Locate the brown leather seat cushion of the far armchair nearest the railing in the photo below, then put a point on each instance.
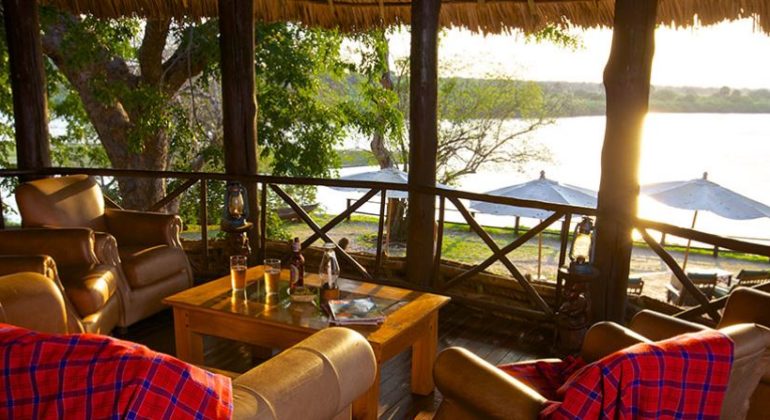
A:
(145, 266)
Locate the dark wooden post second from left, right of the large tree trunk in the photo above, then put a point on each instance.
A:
(239, 103)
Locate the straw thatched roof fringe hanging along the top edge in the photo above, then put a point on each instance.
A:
(487, 16)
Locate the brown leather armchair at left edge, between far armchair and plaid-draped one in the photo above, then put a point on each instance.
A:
(87, 289)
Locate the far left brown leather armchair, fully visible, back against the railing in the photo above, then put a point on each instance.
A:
(144, 247)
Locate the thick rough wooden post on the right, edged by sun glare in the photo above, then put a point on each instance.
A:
(627, 84)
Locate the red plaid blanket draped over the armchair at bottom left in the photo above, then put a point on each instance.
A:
(93, 376)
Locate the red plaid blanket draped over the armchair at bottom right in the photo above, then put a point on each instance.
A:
(684, 377)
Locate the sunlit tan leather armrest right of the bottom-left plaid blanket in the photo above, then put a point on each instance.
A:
(316, 379)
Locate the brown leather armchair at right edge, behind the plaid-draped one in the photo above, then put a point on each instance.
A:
(744, 305)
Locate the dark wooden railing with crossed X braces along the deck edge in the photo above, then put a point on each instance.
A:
(539, 308)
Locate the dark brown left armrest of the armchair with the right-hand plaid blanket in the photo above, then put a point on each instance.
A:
(475, 386)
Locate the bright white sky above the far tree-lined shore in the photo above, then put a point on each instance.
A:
(729, 54)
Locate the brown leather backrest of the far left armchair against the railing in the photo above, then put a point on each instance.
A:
(68, 201)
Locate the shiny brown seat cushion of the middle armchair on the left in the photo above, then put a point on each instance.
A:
(89, 287)
